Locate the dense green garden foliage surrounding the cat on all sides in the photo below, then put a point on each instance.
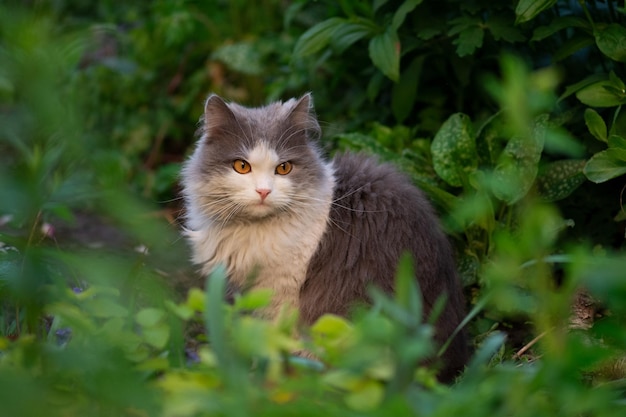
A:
(508, 114)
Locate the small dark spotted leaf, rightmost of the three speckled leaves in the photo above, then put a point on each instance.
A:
(559, 179)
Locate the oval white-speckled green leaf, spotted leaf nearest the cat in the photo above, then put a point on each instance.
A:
(454, 150)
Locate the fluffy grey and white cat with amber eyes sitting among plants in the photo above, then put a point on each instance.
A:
(262, 200)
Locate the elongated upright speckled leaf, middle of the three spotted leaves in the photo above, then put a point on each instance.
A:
(516, 171)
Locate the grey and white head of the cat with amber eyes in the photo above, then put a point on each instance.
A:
(253, 163)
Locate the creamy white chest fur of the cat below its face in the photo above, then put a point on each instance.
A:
(272, 254)
